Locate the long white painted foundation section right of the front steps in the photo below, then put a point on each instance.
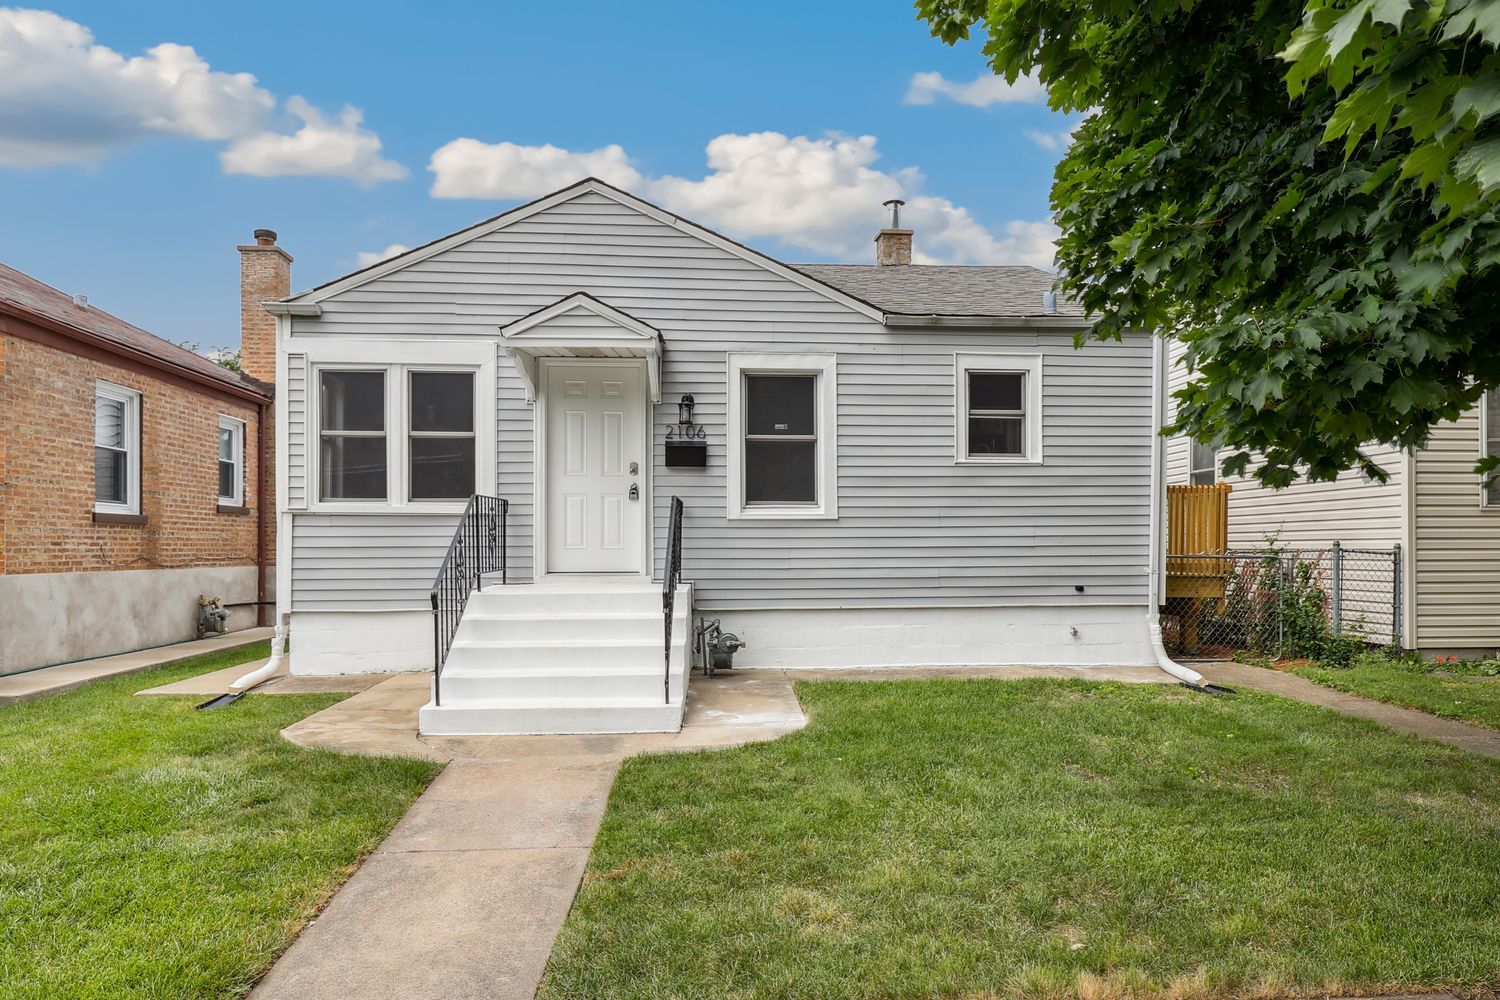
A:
(1109, 636)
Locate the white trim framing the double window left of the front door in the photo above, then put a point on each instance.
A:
(350, 355)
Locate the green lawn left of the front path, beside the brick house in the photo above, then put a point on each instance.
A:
(152, 851)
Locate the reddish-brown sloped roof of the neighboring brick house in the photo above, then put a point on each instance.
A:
(26, 298)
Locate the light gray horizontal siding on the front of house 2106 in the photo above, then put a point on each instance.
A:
(914, 528)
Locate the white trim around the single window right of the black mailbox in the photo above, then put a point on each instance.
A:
(826, 389)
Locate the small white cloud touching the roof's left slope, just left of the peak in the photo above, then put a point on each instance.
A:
(469, 169)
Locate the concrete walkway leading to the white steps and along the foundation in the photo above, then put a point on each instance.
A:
(467, 894)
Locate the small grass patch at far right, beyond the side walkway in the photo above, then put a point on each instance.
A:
(1463, 692)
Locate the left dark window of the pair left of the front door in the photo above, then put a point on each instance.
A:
(353, 436)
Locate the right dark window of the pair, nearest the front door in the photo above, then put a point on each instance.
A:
(442, 436)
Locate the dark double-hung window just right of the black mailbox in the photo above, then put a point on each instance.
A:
(781, 439)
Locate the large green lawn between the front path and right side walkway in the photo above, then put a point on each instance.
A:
(1043, 839)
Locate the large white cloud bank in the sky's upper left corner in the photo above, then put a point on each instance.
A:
(67, 100)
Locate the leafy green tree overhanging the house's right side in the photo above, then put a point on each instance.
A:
(1304, 193)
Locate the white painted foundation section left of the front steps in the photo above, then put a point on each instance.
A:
(361, 642)
